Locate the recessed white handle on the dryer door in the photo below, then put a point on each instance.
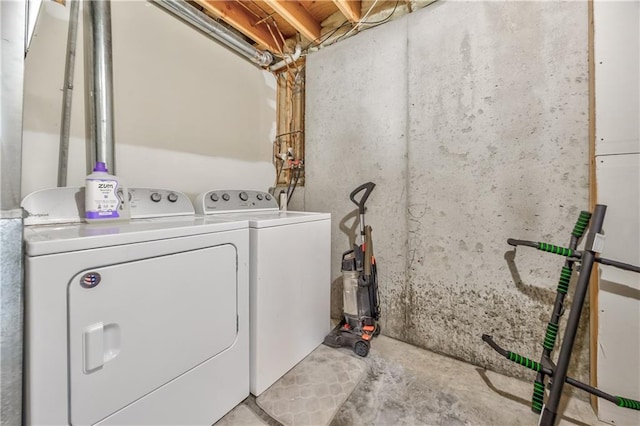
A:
(101, 344)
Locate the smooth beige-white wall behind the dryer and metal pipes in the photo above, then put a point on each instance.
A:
(188, 114)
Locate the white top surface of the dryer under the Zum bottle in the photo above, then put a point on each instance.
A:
(50, 239)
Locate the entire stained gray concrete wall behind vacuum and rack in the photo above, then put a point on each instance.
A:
(472, 118)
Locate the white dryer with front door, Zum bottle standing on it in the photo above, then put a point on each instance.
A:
(143, 322)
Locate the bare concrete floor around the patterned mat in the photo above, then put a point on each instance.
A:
(406, 385)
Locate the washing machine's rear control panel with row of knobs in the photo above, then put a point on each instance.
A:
(234, 200)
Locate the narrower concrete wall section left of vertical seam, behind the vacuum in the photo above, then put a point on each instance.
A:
(356, 123)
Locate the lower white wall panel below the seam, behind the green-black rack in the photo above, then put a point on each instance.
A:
(618, 371)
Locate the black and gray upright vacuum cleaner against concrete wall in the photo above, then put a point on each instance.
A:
(359, 323)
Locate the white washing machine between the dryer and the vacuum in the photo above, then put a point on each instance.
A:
(290, 279)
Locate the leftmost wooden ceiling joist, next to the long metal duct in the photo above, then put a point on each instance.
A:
(236, 16)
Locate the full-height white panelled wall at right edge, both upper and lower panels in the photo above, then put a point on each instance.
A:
(617, 97)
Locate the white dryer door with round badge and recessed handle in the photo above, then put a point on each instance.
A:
(134, 327)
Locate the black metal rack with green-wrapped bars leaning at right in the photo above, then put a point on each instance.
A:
(557, 373)
